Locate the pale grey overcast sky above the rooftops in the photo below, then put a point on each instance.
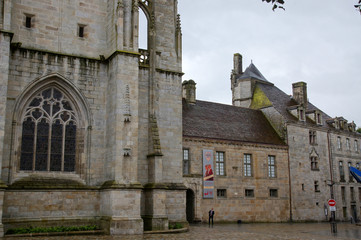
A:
(315, 41)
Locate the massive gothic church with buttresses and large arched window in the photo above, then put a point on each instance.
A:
(90, 125)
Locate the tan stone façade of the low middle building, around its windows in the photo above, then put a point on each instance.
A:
(236, 206)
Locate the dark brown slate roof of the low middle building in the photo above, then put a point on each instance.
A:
(225, 122)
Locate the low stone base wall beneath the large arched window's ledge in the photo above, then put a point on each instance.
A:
(31, 208)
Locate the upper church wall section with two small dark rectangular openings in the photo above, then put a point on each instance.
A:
(55, 26)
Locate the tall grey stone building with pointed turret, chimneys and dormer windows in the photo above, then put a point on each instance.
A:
(321, 148)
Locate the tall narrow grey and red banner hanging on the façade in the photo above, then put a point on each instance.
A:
(208, 177)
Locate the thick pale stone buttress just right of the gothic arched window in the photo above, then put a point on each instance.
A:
(121, 194)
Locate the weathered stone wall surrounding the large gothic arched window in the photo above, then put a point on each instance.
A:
(87, 76)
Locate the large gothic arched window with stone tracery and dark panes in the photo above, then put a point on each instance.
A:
(49, 128)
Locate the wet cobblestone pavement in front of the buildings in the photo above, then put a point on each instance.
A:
(306, 231)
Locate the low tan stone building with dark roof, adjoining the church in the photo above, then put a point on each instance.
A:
(250, 162)
